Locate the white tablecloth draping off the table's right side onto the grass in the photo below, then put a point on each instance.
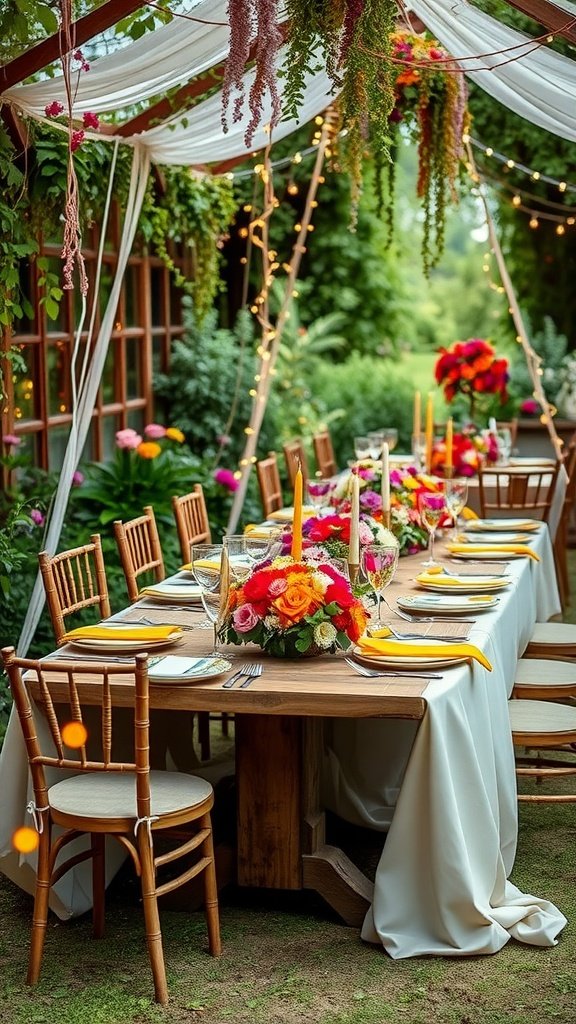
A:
(445, 791)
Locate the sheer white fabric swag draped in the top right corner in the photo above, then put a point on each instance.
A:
(541, 86)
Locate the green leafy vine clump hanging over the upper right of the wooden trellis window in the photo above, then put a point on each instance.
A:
(195, 210)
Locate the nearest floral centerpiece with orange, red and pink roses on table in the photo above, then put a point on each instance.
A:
(292, 609)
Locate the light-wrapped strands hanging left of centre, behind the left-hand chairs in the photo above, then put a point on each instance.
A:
(272, 334)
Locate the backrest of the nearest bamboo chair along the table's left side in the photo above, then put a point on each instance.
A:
(74, 580)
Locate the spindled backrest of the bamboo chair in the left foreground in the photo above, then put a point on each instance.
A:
(50, 746)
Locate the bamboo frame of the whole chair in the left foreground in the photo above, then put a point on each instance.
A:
(121, 827)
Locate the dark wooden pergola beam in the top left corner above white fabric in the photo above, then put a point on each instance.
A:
(52, 49)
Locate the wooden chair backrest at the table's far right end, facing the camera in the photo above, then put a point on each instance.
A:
(527, 491)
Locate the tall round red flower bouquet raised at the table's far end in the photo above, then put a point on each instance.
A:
(473, 370)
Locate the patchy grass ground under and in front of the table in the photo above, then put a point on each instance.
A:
(289, 961)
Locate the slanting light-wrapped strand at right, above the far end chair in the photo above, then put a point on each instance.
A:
(534, 362)
